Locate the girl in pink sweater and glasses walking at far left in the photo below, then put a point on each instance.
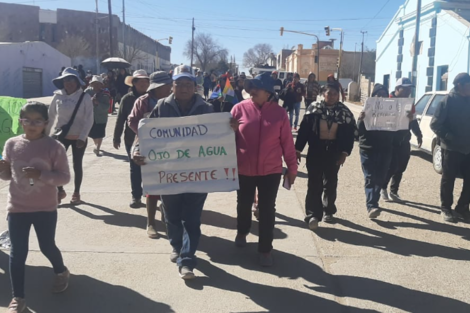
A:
(35, 164)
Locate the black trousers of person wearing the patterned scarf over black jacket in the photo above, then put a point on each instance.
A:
(322, 183)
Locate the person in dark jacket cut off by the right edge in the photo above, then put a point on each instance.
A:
(451, 125)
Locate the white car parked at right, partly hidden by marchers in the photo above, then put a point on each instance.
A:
(425, 109)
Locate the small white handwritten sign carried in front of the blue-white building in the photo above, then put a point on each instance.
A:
(387, 114)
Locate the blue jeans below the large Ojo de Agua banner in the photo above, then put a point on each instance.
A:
(183, 221)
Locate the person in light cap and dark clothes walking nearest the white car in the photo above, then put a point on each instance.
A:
(401, 145)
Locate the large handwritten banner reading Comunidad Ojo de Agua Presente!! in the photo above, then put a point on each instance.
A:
(194, 154)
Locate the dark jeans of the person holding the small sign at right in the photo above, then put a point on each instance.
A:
(375, 165)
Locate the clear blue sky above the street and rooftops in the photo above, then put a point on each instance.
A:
(239, 25)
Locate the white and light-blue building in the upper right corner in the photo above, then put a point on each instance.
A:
(444, 45)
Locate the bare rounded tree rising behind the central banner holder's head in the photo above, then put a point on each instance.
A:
(207, 51)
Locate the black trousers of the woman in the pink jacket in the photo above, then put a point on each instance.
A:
(268, 187)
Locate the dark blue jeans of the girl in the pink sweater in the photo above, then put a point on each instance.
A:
(19, 225)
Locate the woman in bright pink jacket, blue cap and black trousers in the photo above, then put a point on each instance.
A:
(263, 137)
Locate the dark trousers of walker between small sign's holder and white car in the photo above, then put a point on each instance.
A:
(400, 157)
